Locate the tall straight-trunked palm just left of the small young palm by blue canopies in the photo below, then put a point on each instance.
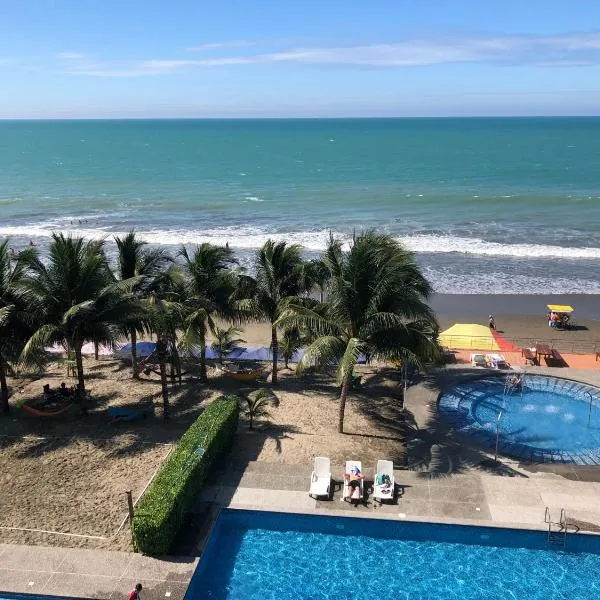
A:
(211, 278)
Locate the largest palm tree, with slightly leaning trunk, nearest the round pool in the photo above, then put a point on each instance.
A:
(376, 308)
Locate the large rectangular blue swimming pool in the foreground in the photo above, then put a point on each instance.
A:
(280, 556)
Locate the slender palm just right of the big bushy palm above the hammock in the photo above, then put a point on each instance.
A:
(135, 260)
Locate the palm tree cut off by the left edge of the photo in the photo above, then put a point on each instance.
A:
(15, 320)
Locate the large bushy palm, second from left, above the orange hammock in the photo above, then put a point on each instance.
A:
(76, 299)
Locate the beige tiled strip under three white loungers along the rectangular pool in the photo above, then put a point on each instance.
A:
(473, 497)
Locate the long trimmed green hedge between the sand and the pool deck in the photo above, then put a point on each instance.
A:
(167, 502)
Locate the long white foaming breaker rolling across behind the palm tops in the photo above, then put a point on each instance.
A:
(314, 240)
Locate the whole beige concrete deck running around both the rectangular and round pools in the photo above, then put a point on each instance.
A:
(446, 480)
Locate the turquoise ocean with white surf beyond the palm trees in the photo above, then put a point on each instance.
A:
(489, 205)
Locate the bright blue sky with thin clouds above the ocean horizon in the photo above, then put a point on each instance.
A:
(261, 58)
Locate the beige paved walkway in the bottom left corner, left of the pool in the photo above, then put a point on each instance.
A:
(91, 573)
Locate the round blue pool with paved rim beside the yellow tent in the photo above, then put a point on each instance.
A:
(549, 420)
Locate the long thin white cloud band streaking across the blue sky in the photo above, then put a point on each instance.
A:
(568, 50)
